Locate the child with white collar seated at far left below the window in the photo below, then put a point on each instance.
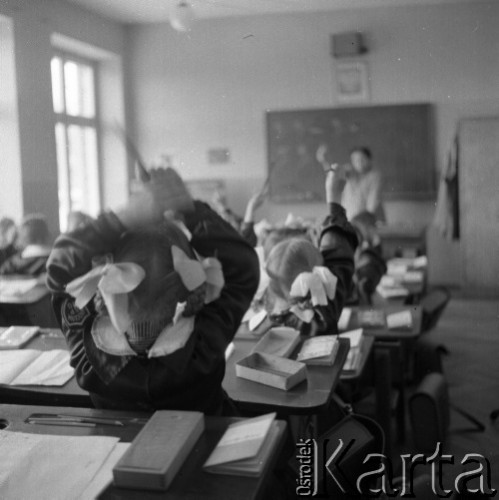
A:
(34, 244)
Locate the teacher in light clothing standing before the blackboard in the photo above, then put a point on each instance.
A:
(363, 190)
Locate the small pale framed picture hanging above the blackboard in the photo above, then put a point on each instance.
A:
(352, 81)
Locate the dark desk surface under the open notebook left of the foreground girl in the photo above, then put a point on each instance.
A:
(70, 394)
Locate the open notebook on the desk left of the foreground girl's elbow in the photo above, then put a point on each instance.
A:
(33, 367)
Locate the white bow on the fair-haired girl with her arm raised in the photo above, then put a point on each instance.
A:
(320, 283)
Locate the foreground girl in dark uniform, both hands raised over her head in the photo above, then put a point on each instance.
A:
(155, 335)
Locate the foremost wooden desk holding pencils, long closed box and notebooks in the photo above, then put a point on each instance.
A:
(190, 483)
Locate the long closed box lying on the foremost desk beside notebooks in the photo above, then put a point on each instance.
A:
(159, 450)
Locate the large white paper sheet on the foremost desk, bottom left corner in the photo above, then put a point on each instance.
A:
(41, 467)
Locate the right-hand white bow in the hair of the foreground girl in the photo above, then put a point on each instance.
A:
(194, 273)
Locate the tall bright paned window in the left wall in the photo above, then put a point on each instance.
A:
(76, 134)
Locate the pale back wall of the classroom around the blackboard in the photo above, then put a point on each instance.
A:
(211, 87)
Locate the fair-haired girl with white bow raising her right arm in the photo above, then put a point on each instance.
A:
(308, 282)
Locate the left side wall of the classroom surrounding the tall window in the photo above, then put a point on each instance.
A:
(33, 24)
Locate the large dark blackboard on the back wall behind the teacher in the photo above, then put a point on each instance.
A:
(400, 138)
